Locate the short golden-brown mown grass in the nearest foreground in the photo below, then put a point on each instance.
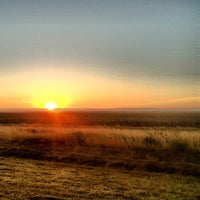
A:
(44, 180)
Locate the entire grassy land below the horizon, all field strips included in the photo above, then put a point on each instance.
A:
(100, 155)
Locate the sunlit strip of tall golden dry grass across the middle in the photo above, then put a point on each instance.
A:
(152, 138)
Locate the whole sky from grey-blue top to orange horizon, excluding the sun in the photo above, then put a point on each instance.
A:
(99, 54)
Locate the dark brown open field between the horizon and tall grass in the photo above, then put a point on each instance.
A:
(103, 118)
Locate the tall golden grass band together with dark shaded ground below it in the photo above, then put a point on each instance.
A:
(172, 150)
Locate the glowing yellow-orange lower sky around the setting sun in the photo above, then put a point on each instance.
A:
(68, 88)
